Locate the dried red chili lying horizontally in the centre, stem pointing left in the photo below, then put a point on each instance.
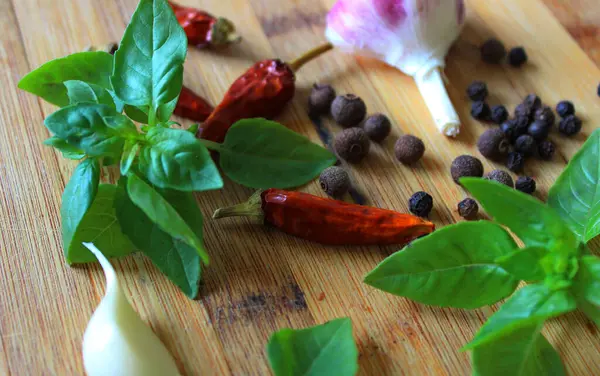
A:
(328, 221)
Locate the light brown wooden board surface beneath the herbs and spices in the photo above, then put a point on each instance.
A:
(261, 280)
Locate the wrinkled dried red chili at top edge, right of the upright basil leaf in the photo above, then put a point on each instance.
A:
(203, 29)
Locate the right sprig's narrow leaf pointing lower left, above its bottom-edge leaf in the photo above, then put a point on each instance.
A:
(530, 305)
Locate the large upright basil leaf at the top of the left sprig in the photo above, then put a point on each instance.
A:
(149, 62)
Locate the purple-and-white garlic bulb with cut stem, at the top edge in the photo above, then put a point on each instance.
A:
(411, 35)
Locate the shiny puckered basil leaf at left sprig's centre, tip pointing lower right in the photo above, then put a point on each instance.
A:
(175, 159)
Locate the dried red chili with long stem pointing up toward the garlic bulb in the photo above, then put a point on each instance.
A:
(262, 91)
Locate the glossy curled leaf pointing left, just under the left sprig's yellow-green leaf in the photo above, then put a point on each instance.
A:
(83, 127)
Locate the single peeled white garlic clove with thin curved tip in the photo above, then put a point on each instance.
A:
(116, 341)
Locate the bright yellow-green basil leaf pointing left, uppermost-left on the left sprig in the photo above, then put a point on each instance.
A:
(47, 80)
